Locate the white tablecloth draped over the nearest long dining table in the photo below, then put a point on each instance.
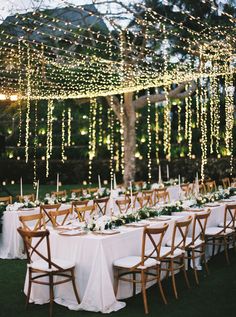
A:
(94, 255)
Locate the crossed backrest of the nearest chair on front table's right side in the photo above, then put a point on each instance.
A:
(155, 236)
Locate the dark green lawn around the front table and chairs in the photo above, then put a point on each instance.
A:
(214, 297)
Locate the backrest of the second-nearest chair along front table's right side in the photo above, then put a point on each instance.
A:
(180, 232)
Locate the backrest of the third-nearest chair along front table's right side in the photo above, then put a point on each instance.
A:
(199, 225)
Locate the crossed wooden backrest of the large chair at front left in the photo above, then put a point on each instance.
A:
(32, 246)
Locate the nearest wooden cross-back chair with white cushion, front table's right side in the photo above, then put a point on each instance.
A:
(136, 269)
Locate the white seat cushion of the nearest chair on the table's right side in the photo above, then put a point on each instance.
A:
(130, 261)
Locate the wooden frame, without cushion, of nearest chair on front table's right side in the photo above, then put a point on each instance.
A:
(122, 274)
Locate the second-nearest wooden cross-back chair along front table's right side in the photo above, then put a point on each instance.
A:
(174, 253)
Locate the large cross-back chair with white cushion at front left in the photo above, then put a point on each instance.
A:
(45, 265)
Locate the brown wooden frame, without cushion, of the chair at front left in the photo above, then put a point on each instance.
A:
(35, 275)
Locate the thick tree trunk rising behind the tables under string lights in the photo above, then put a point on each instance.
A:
(129, 138)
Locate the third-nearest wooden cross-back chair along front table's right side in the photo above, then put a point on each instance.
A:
(195, 246)
